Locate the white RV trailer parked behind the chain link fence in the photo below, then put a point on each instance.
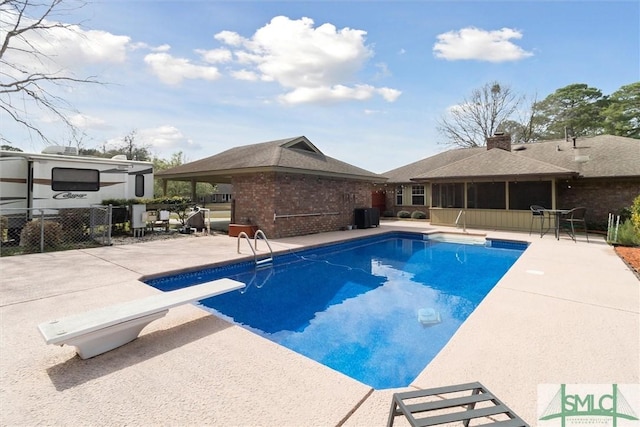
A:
(57, 178)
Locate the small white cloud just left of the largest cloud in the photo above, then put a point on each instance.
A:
(173, 70)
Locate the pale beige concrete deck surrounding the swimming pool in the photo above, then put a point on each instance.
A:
(564, 313)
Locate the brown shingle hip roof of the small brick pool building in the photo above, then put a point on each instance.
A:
(295, 155)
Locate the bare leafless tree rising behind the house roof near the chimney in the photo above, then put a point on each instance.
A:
(469, 123)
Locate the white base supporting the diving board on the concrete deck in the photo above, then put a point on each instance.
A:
(106, 339)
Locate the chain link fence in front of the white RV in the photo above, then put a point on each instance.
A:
(34, 230)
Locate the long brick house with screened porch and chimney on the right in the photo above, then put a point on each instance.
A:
(496, 184)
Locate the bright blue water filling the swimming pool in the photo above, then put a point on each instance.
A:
(355, 306)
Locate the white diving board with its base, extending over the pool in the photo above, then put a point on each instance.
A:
(98, 331)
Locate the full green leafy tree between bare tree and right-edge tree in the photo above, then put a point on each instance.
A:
(571, 111)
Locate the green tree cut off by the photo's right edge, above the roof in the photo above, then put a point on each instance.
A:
(622, 115)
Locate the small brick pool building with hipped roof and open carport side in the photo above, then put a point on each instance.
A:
(285, 187)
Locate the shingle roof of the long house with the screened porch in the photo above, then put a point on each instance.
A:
(600, 156)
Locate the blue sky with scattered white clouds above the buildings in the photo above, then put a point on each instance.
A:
(365, 81)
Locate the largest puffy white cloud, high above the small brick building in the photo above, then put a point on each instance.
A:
(314, 64)
